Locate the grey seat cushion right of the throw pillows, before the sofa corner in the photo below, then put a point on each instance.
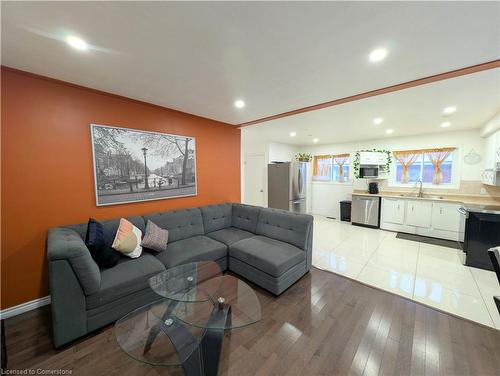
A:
(197, 248)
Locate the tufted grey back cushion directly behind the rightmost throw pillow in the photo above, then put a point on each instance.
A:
(181, 224)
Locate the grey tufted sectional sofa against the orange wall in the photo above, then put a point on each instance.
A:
(271, 248)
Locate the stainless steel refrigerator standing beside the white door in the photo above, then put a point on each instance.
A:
(286, 186)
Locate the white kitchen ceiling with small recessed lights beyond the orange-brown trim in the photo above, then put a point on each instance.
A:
(413, 111)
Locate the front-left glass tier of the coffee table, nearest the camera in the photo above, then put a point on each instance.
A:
(133, 331)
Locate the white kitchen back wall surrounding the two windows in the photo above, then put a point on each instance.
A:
(326, 195)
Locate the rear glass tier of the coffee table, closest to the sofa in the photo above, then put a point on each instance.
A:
(181, 283)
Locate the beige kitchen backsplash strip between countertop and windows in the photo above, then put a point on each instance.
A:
(467, 187)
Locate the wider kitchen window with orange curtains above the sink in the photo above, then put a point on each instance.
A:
(431, 166)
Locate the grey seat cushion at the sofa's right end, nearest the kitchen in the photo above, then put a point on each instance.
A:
(272, 256)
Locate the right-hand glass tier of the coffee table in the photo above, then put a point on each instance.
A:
(223, 290)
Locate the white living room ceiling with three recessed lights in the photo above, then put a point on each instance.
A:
(277, 56)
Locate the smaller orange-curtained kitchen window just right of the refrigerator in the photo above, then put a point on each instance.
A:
(331, 168)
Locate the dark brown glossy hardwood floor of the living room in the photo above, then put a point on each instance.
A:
(323, 325)
